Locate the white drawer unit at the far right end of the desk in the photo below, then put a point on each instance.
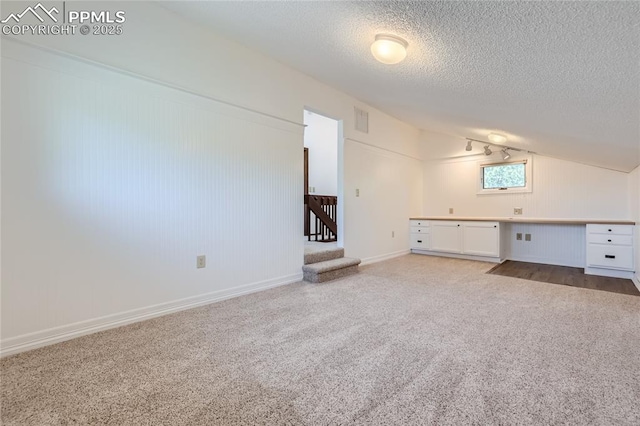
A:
(610, 250)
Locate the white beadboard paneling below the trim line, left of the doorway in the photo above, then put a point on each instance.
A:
(113, 186)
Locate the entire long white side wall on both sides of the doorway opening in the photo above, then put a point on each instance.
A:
(112, 184)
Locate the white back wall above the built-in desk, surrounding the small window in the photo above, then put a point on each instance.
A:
(561, 189)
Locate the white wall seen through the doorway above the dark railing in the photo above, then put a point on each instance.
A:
(321, 137)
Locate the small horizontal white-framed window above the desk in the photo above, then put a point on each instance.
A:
(514, 176)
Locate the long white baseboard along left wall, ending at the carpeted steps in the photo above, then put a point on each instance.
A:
(54, 335)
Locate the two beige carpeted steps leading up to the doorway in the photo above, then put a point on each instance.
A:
(322, 265)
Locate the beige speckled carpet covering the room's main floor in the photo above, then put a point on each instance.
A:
(413, 340)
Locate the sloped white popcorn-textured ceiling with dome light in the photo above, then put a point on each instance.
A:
(559, 78)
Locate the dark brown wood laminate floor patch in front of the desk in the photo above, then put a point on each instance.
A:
(564, 275)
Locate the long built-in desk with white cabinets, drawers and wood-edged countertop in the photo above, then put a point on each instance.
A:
(601, 246)
